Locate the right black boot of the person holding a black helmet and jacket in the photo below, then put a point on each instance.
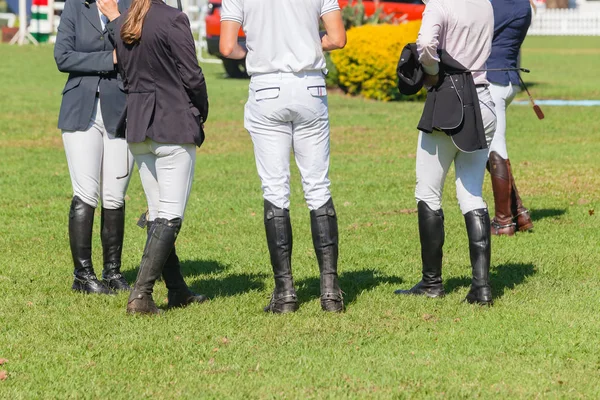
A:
(478, 230)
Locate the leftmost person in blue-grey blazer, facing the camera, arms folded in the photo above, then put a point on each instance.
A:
(93, 101)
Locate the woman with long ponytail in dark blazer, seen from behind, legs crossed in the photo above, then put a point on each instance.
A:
(167, 105)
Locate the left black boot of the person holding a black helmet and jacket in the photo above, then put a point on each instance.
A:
(431, 233)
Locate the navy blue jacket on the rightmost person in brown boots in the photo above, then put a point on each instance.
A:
(511, 21)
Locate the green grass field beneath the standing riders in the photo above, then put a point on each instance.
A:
(540, 340)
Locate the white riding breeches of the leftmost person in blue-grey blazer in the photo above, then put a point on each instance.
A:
(96, 159)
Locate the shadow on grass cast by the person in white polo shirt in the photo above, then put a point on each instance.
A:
(352, 283)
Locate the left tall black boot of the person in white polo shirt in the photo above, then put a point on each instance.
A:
(279, 240)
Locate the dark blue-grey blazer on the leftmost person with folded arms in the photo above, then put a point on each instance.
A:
(84, 51)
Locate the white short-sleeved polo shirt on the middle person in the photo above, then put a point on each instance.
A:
(281, 35)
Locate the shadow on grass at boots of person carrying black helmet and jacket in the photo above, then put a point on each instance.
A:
(502, 277)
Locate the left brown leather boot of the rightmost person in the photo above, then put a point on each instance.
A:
(499, 168)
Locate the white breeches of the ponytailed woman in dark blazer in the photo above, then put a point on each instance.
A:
(167, 172)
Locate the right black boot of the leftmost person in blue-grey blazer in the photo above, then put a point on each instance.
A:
(113, 229)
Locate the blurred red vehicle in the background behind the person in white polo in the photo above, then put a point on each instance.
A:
(401, 9)
